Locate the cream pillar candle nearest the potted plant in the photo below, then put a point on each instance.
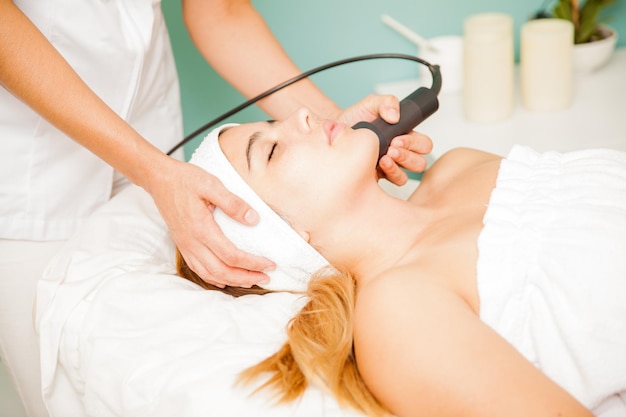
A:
(546, 64)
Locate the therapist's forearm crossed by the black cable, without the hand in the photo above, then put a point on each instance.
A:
(236, 41)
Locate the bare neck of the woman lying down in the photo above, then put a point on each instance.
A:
(373, 234)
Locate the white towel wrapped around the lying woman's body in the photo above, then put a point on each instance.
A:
(552, 267)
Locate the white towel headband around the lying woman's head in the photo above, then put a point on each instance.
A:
(272, 237)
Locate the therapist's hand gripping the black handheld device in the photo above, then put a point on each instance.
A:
(406, 151)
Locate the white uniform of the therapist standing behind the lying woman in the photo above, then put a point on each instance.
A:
(50, 184)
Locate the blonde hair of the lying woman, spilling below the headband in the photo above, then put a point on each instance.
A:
(320, 343)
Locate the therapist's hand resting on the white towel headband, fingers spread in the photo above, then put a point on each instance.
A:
(186, 196)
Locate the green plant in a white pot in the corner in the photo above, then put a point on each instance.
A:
(594, 42)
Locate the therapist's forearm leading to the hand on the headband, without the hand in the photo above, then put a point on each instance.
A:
(33, 70)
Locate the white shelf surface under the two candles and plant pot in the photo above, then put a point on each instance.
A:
(597, 117)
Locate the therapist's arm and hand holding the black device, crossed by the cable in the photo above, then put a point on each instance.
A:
(235, 39)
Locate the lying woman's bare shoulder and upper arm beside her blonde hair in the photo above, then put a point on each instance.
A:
(418, 346)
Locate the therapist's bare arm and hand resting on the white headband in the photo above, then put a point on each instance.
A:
(33, 70)
